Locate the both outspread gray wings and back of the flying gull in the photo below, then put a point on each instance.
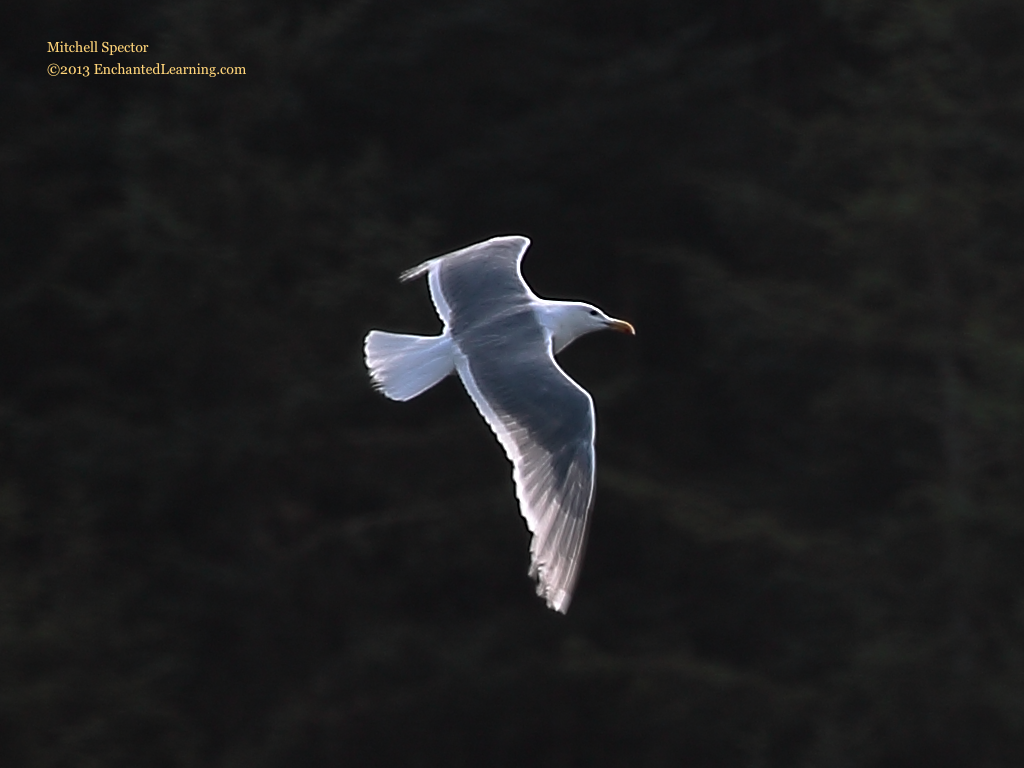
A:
(543, 419)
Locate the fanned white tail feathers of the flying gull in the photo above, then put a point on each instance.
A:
(403, 366)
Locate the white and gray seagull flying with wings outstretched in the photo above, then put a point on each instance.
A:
(502, 339)
